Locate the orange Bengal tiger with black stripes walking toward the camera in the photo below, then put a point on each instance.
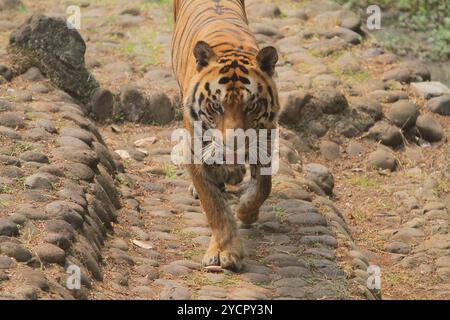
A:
(226, 82)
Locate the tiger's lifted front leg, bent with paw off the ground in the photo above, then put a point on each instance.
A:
(254, 197)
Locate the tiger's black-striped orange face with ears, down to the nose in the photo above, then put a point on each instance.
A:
(233, 91)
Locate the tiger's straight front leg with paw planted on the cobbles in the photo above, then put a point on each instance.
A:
(225, 248)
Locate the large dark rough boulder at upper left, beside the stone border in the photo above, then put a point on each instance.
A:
(58, 51)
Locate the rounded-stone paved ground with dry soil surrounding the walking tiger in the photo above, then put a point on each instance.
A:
(364, 177)
